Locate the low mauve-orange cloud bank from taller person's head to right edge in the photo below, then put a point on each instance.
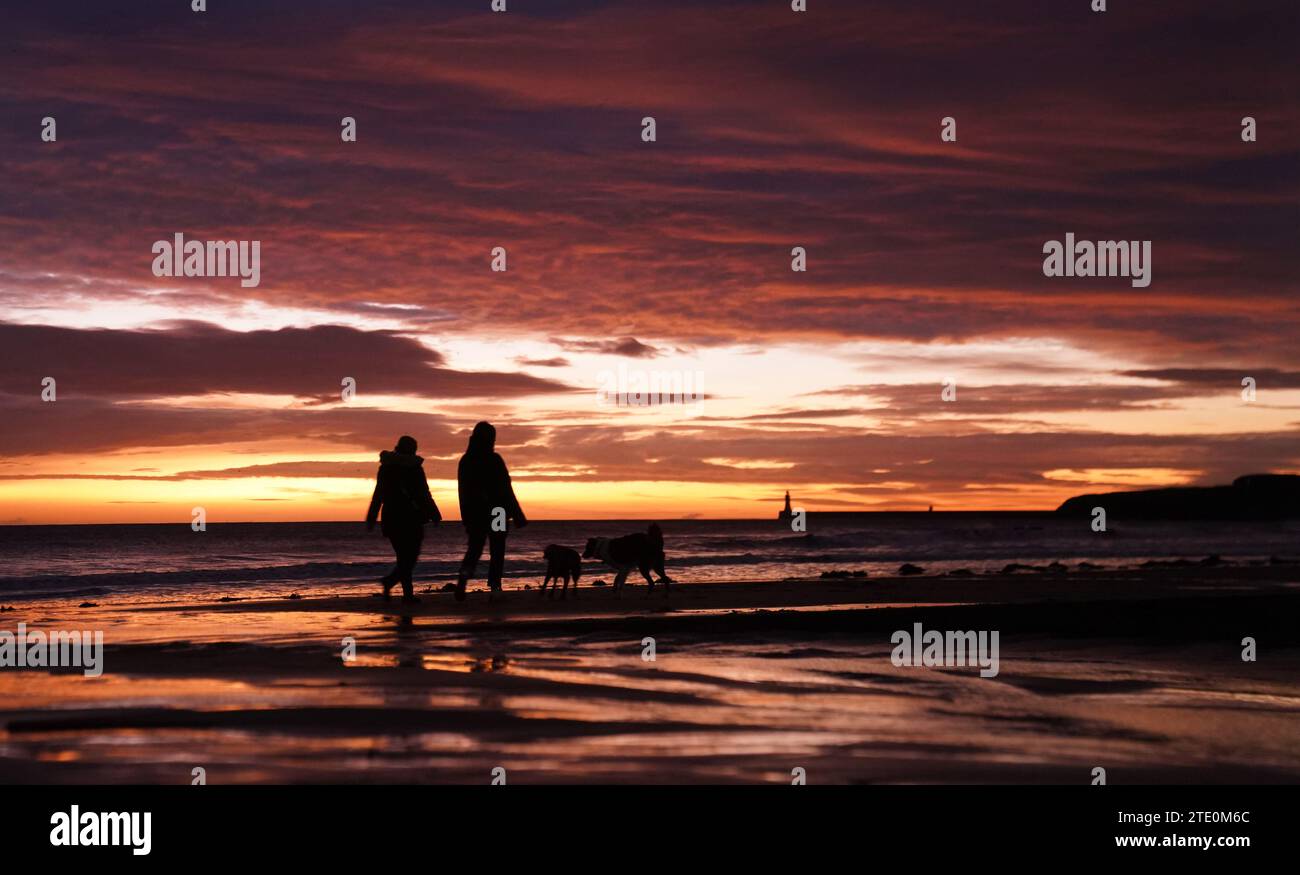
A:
(948, 461)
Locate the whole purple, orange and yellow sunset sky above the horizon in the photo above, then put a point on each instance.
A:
(523, 131)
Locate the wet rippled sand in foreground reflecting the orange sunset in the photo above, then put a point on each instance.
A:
(1138, 672)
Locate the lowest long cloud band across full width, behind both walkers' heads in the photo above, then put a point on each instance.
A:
(948, 461)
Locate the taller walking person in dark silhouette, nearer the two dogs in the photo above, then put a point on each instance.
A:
(487, 504)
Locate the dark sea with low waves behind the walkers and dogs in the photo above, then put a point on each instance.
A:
(252, 560)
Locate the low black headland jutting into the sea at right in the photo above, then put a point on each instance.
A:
(1253, 497)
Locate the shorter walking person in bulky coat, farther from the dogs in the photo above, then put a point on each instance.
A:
(402, 492)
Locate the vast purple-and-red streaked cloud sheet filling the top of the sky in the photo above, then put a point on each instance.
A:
(827, 141)
